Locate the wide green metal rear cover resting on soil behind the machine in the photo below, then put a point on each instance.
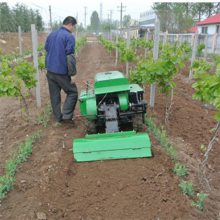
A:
(112, 146)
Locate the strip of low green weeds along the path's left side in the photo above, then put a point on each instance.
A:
(25, 150)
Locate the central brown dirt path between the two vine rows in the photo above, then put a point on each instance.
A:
(53, 184)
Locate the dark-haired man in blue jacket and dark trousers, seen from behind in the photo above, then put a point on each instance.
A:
(59, 45)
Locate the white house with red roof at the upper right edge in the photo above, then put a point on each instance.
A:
(210, 25)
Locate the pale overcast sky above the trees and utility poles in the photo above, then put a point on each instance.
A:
(62, 8)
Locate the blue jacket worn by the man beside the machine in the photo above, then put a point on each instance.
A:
(58, 45)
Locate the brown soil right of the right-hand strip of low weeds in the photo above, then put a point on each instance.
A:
(190, 126)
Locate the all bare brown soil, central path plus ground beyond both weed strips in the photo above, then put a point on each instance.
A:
(51, 184)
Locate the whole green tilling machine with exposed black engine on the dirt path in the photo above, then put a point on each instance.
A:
(114, 110)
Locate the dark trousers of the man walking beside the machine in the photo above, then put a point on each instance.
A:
(57, 82)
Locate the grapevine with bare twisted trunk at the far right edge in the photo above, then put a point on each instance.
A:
(207, 90)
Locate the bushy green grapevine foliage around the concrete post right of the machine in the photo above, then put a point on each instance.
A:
(163, 70)
